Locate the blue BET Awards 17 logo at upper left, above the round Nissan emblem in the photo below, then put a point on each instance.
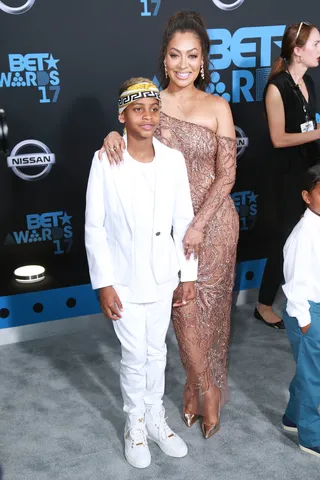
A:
(38, 70)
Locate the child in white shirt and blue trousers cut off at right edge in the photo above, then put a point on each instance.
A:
(302, 318)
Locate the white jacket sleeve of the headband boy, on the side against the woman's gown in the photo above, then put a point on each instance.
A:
(182, 217)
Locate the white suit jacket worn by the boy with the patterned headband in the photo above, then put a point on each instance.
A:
(109, 236)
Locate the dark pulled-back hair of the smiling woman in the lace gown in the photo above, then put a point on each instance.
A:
(186, 22)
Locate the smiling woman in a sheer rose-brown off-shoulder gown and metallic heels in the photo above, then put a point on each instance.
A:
(200, 126)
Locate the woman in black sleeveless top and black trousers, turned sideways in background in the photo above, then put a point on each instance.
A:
(290, 102)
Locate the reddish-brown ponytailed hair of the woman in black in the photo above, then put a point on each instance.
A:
(290, 40)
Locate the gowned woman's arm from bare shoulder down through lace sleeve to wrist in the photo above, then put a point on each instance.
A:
(225, 166)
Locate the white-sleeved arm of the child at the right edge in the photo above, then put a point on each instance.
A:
(297, 263)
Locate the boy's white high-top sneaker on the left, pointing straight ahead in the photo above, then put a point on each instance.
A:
(136, 448)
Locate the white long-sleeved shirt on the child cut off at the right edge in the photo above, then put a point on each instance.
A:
(302, 267)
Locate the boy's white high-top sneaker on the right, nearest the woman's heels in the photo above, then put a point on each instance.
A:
(159, 431)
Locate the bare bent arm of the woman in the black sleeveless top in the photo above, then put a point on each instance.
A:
(276, 122)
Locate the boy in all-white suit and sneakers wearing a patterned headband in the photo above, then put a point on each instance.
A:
(134, 261)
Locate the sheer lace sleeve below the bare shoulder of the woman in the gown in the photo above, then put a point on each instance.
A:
(222, 184)
